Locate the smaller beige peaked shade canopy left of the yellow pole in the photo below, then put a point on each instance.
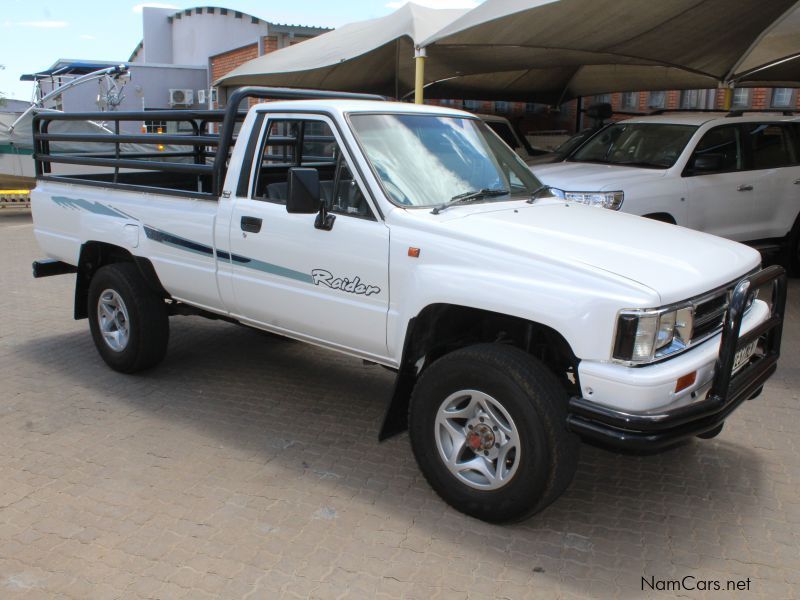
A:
(375, 55)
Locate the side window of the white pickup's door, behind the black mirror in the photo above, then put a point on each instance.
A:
(308, 143)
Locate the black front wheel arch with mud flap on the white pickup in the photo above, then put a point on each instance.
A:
(441, 328)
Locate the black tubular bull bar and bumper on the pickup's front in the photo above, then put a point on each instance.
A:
(655, 430)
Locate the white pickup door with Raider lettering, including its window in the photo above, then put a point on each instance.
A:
(330, 287)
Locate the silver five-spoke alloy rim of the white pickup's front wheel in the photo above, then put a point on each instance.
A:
(477, 440)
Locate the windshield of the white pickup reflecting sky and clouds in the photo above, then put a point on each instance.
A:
(427, 160)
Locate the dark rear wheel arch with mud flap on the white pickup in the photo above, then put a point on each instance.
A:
(93, 256)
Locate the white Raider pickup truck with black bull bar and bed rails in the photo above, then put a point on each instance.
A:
(413, 237)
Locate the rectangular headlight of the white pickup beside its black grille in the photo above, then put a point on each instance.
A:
(647, 335)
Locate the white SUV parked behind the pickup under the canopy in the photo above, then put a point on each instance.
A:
(733, 175)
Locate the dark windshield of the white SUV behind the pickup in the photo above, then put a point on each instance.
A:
(651, 145)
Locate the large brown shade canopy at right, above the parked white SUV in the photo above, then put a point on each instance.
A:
(517, 49)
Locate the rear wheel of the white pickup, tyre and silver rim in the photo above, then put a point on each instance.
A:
(128, 320)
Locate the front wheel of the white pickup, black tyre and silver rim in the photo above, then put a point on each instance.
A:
(488, 429)
